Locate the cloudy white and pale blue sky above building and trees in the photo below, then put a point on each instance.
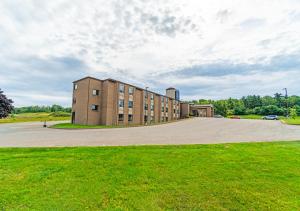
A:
(212, 49)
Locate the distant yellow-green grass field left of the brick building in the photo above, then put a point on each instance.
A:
(33, 117)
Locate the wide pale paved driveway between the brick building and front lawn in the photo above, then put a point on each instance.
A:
(192, 131)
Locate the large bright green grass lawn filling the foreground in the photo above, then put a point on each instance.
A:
(248, 176)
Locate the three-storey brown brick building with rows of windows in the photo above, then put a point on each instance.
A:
(111, 102)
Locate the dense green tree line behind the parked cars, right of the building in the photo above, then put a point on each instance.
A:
(255, 104)
